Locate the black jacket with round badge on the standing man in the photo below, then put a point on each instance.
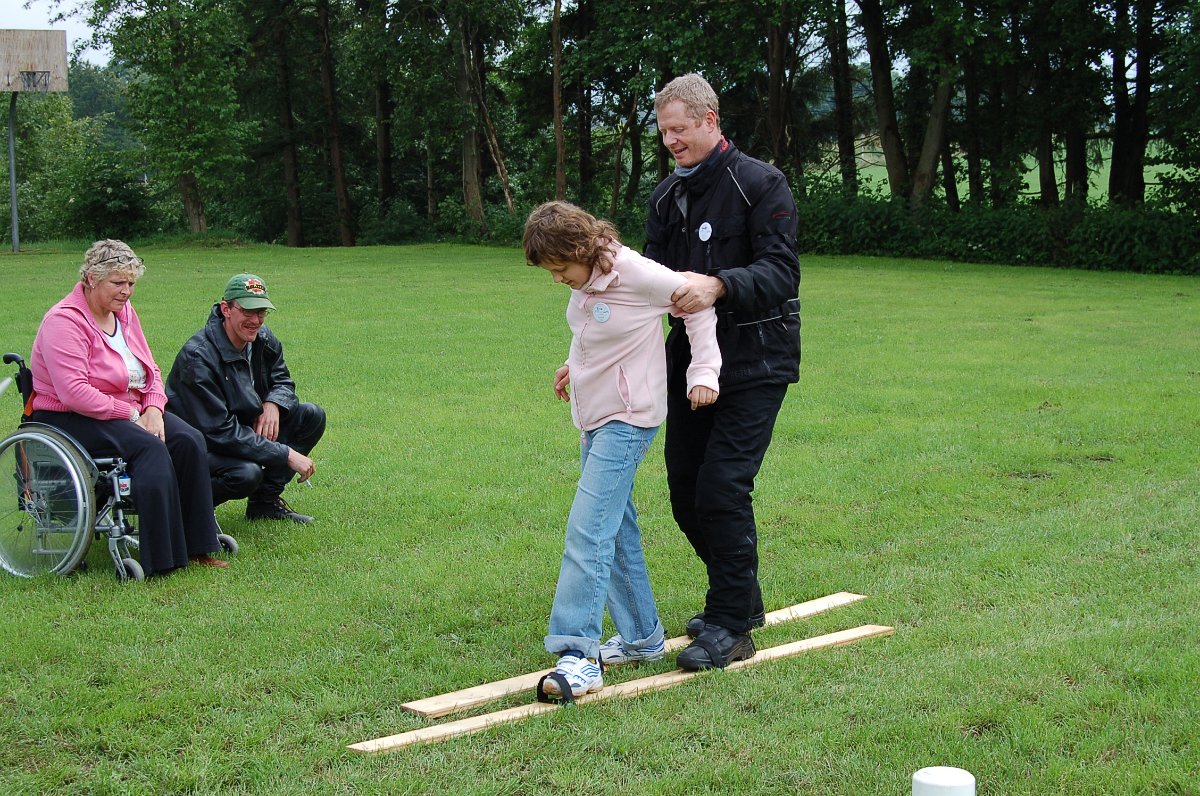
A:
(735, 219)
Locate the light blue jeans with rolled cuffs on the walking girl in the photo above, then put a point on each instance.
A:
(603, 560)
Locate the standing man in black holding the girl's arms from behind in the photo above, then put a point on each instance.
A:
(729, 222)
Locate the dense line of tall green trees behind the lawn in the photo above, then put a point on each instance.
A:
(338, 122)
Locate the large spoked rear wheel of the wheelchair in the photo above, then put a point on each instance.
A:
(47, 504)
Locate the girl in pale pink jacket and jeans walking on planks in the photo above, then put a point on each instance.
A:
(616, 381)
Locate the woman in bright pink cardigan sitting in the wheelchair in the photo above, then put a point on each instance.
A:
(95, 379)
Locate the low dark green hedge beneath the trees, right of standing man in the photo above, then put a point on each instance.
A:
(1097, 238)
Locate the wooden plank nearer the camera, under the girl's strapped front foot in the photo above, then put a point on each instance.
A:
(631, 689)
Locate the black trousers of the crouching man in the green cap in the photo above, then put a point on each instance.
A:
(237, 478)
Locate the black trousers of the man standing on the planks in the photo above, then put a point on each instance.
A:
(713, 456)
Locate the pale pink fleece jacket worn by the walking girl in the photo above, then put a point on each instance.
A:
(617, 363)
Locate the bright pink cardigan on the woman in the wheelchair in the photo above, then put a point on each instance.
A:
(75, 370)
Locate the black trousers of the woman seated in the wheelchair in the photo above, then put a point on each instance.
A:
(170, 482)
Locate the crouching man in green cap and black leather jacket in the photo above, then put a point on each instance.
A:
(231, 382)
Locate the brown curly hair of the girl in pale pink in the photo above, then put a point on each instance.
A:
(561, 232)
